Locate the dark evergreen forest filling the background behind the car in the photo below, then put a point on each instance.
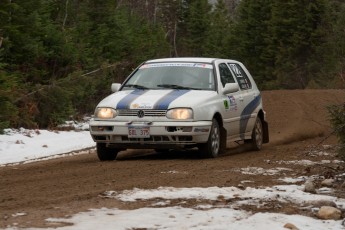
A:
(58, 58)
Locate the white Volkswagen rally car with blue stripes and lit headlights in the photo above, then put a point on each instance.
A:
(177, 103)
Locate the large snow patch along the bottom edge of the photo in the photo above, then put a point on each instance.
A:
(188, 218)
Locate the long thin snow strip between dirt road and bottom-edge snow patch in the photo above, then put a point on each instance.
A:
(282, 193)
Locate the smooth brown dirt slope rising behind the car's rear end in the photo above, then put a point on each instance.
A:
(295, 115)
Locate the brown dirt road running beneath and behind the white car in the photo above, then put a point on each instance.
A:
(298, 125)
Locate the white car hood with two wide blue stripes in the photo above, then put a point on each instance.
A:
(156, 99)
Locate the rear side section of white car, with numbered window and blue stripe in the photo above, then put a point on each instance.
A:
(249, 100)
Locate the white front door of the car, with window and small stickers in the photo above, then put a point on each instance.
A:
(233, 102)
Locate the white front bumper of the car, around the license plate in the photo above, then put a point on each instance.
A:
(161, 134)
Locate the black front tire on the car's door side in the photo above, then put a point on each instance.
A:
(212, 148)
